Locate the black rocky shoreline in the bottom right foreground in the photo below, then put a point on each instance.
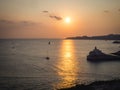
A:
(97, 85)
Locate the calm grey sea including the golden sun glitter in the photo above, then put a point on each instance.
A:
(23, 65)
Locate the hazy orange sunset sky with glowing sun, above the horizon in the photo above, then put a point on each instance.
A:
(58, 18)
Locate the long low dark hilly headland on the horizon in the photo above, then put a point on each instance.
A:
(104, 37)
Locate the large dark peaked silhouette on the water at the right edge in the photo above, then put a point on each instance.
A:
(98, 55)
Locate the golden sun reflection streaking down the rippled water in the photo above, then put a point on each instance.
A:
(67, 65)
